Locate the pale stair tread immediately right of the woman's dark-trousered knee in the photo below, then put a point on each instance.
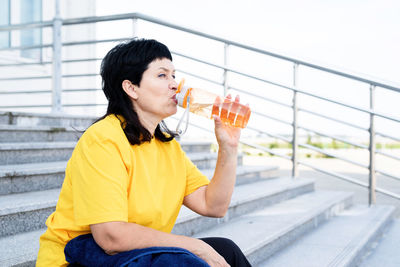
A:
(275, 221)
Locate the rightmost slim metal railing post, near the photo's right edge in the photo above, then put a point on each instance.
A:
(372, 147)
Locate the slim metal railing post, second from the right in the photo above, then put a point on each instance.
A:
(295, 171)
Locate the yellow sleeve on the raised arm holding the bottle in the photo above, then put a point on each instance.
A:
(194, 178)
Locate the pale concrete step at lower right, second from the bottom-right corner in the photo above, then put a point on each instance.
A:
(340, 242)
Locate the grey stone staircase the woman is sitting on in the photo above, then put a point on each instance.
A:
(276, 221)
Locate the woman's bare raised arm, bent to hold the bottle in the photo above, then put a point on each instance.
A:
(213, 200)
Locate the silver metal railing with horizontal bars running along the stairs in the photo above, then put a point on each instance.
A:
(296, 62)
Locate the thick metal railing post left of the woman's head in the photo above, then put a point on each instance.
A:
(57, 61)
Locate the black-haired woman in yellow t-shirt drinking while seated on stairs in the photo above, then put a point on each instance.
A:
(127, 177)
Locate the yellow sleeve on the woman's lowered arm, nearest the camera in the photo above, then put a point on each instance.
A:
(99, 183)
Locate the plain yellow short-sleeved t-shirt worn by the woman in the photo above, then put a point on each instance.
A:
(108, 179)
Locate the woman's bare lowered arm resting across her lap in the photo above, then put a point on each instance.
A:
(115, 237)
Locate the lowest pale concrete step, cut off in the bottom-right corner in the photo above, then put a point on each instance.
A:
(385, 251)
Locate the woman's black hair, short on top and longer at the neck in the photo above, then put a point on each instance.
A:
(128, 61)
